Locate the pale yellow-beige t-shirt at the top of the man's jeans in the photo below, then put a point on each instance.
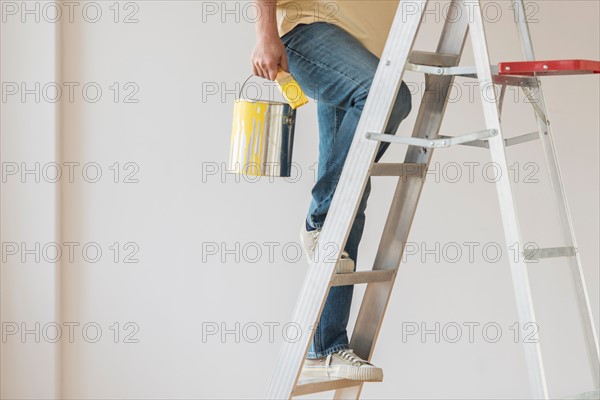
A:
(367, 20)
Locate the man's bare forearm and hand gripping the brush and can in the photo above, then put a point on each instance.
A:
(269, 52)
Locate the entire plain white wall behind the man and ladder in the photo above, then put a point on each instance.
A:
(171, 140)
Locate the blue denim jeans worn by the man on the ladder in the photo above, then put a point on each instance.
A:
(336, 70)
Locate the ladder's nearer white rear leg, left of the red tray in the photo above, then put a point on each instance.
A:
(508, 209)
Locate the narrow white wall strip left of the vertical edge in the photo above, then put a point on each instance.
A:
(28, 210)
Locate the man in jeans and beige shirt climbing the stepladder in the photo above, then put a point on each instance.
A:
(332, 48)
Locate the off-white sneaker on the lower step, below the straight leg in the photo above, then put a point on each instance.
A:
(343, 364)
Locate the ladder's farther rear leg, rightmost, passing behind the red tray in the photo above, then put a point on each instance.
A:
(556, 181)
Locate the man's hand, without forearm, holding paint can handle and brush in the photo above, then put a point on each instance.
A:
(268, 55)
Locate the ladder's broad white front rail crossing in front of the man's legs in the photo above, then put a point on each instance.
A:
(345, 202)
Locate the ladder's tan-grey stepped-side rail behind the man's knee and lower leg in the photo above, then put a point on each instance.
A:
(408, 190)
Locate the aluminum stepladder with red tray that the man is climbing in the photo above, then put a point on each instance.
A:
(440, 68)
